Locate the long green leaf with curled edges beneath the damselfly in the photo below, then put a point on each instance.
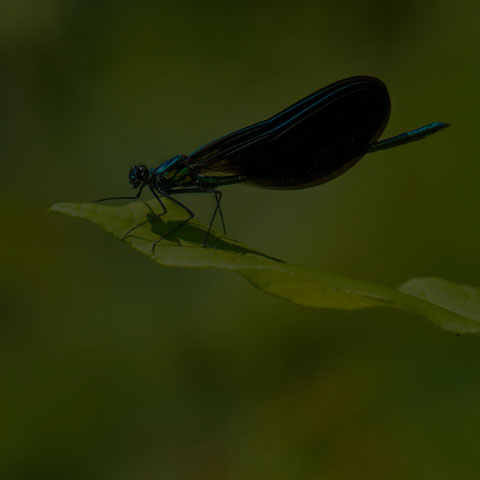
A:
(453, 307)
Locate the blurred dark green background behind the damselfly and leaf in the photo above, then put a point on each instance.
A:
(114, 368)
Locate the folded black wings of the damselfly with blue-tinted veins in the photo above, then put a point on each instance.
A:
(311, 142)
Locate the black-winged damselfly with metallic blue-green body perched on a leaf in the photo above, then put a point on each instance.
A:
(311, 142)
